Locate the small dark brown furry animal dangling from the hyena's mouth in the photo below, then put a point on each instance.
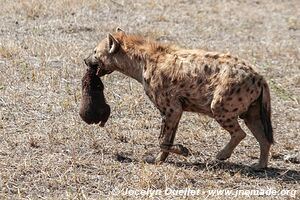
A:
(93, 107)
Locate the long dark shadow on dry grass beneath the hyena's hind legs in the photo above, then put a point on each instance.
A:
(281, 174)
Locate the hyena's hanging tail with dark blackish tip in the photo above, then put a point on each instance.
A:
(265, 112)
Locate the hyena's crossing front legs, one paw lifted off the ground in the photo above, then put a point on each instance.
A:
(169, 126)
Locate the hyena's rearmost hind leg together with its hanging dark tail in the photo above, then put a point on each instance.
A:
(258, 120)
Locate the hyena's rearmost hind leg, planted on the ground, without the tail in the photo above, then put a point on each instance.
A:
(253, 121)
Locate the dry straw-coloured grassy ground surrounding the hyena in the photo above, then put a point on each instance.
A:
(46, 151)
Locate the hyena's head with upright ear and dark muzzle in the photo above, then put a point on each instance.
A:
(103, 56)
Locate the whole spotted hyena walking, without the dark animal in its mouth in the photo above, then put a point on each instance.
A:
(175, 79)
